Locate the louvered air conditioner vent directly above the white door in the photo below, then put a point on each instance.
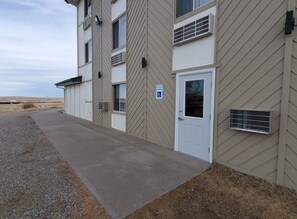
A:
(194, 30)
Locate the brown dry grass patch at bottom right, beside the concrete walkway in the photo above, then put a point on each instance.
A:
(223, 193)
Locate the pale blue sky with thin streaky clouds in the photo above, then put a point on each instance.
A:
(37, 47)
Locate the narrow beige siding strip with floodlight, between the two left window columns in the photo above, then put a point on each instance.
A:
(102, 49)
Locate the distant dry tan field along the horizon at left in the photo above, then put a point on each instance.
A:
(33, 103)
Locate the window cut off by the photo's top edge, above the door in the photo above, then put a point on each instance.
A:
(185, 6)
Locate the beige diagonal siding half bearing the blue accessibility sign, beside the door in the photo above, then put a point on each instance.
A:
(160, 114)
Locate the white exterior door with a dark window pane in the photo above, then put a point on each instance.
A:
(194, 115)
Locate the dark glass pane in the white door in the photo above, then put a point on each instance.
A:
(194, 97)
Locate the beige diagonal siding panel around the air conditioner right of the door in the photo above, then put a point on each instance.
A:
(250, 55)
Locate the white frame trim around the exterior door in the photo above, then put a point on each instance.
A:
(213, 79)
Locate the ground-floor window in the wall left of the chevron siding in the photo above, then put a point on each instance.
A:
(120, 98)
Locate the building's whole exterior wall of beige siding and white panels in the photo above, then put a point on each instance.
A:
(254, 62)
